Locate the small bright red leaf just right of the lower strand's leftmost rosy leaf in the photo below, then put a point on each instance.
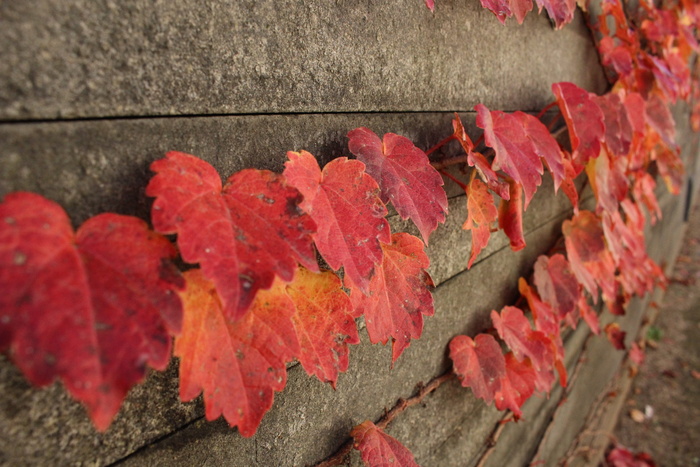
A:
(517, 386)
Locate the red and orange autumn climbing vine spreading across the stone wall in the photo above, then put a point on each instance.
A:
(97, 306)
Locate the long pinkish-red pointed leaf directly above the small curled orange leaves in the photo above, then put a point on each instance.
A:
(515, 152)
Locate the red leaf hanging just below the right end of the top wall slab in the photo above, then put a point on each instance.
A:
(584, 119)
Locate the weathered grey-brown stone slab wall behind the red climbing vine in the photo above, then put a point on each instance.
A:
(91, 92)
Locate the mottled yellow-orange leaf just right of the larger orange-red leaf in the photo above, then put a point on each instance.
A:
(324, 323)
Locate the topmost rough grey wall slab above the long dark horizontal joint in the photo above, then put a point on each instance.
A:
(86, 58)
